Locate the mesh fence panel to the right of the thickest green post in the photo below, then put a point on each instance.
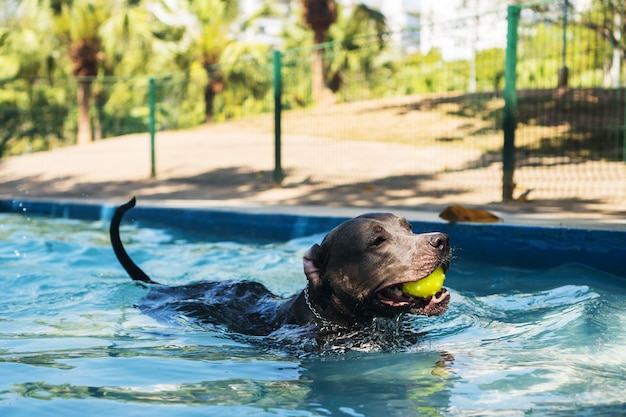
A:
(569, 141)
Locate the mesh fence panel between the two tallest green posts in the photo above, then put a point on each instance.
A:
(427, 107)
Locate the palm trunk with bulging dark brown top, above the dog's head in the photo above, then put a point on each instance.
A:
(318, 15)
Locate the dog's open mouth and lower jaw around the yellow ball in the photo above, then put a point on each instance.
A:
(395, 296)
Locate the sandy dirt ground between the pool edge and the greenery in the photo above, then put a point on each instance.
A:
(211, 165)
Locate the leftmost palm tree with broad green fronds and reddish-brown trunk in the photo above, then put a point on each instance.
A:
(120, 37)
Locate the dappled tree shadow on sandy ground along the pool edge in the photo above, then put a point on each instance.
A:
(395, 192)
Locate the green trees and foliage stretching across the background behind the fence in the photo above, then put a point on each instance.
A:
(189, 48)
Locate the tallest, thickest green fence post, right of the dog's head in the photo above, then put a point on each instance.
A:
(509, 119)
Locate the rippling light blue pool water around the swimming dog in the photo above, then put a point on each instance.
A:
(514, 342)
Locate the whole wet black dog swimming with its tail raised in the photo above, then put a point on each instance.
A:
(354, 276)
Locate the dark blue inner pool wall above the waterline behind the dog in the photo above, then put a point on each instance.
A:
(499, 244)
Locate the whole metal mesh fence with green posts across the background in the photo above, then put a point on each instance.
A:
(428, 105)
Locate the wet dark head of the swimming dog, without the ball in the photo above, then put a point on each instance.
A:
(357, 272)
